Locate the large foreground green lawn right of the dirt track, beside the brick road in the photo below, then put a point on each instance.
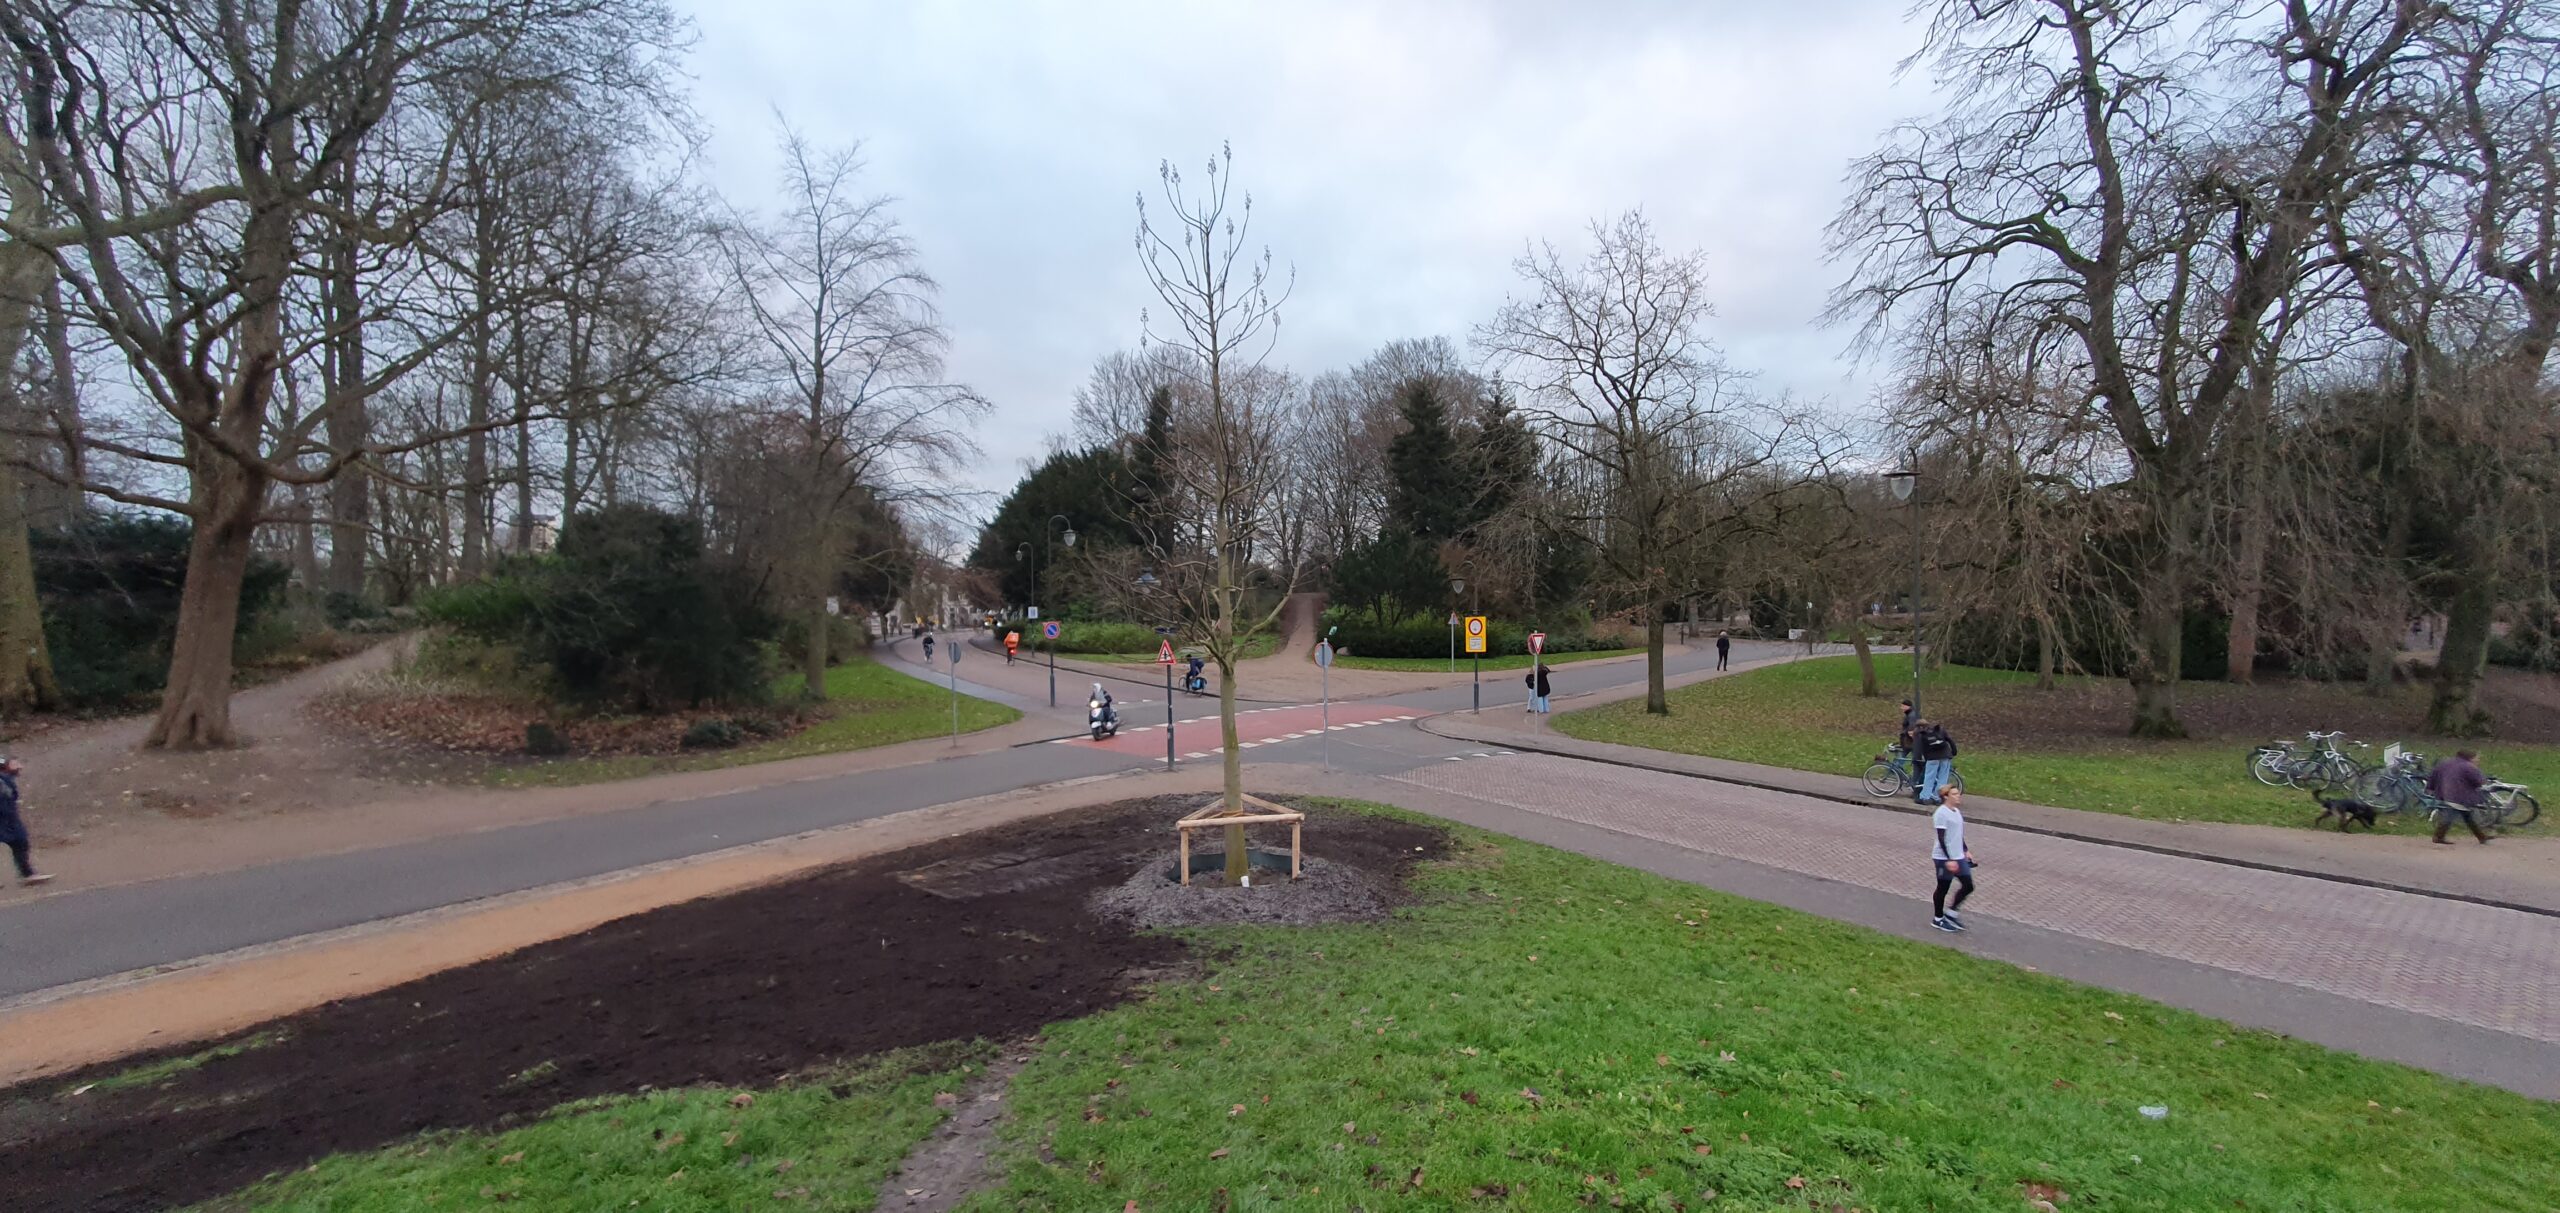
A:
(1550, 1033)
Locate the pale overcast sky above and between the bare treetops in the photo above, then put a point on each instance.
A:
(1402, 155)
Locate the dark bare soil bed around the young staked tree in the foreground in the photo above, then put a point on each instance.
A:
(977, 938)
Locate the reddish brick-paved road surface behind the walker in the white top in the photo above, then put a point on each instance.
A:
(2438, 958)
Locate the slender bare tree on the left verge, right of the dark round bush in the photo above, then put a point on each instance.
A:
(846, 319)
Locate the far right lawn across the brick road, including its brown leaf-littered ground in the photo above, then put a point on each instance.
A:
(2060, 749)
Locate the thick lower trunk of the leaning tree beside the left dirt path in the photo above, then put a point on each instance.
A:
(196, 708)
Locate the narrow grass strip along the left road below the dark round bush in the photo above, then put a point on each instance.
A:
(867, 705)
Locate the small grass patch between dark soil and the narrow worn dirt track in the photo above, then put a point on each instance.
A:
(826, 1143)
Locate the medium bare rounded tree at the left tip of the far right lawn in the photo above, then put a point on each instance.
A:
(1619, 372)
